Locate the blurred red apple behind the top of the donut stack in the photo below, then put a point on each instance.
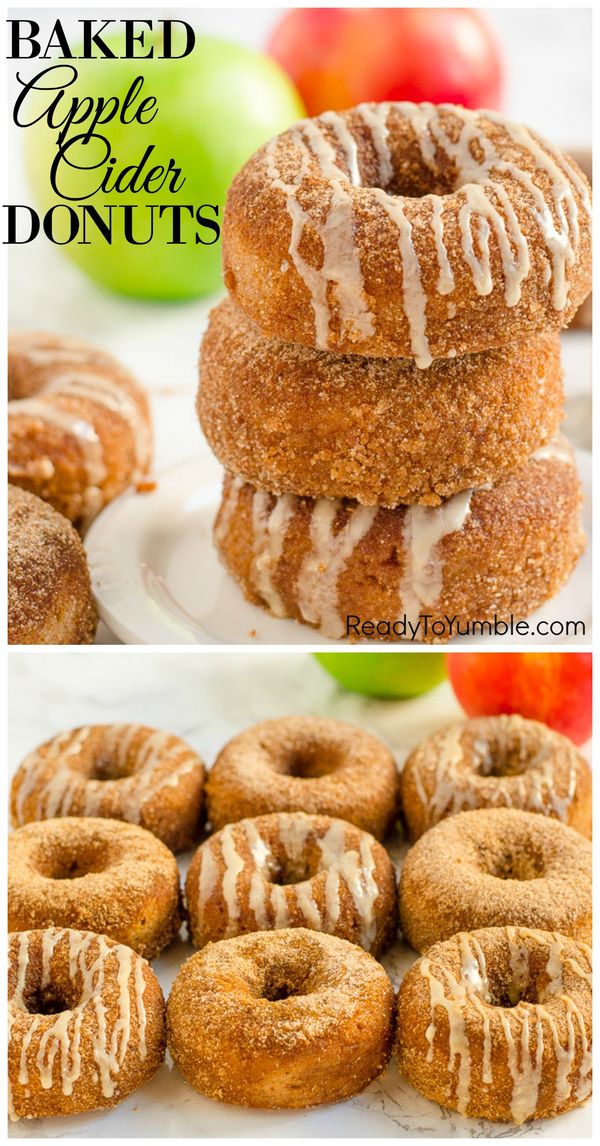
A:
(341, 57)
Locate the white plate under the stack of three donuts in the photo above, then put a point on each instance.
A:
(159, 580)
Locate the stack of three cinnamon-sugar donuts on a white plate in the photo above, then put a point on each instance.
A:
(384, 384)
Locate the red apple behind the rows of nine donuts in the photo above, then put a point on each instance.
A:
(551, 687)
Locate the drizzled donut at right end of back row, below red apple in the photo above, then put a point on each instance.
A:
(496, 762)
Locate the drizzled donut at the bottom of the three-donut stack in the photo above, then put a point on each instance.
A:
(427, 572)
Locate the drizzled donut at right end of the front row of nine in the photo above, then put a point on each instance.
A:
(498, 1024)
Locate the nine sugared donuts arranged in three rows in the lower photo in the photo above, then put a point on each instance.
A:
(293, 900)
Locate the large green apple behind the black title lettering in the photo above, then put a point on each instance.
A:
(216, 107)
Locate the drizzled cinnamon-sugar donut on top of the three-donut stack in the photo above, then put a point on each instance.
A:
(408, 231)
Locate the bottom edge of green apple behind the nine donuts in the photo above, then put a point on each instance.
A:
(385, 674)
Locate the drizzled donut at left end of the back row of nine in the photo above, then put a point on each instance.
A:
(119, 772)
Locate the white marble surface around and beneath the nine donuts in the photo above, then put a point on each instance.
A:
(207, 698)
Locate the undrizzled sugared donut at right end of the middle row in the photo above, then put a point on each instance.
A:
(495, 867)
